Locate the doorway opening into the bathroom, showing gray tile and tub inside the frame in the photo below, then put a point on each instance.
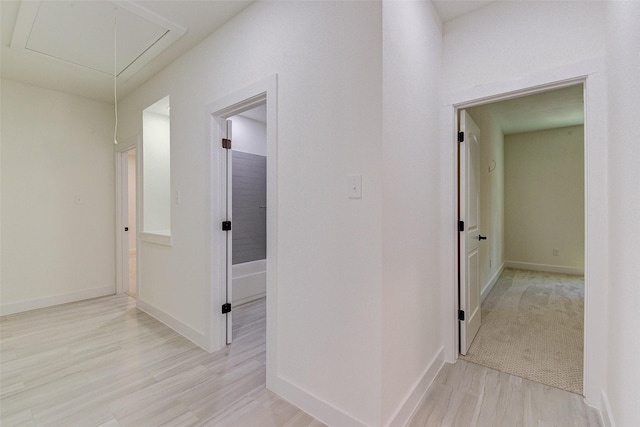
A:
(245, 152)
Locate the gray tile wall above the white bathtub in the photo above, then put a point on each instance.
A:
(249, 207)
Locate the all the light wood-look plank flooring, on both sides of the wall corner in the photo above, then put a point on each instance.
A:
(103, 363)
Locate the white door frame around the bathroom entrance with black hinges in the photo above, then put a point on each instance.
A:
(264, 91)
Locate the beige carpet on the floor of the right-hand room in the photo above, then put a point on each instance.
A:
(532, 327)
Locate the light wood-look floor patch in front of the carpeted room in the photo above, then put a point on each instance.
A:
(465, 394)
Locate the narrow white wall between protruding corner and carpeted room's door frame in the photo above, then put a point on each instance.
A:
(411, 326)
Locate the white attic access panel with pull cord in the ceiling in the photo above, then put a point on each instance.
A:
(84, 32)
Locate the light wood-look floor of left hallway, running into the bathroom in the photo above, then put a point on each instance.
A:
(102, 362)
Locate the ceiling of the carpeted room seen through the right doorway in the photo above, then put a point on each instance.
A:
(546, 110)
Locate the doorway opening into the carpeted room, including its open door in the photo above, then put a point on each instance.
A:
(531, 183)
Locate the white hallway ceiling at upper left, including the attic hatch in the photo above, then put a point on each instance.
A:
(52, 38)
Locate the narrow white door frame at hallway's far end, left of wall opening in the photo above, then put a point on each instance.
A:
(122, 210)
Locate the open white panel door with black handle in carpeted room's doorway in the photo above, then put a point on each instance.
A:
(469, 227)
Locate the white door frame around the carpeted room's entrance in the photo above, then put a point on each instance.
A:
(591, 74)
